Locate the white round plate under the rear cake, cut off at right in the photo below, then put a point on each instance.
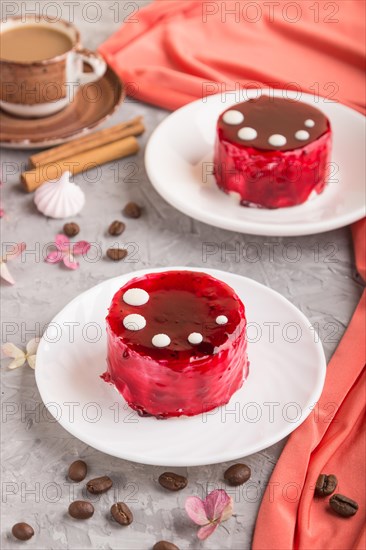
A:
(179, 163)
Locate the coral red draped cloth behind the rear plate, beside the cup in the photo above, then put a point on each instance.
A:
(175, 51)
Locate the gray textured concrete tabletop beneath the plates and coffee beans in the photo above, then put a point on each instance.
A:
(36, 452)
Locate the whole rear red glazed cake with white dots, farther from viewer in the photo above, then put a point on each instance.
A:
(272, 152)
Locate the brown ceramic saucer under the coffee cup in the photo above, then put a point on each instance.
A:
(81, 116)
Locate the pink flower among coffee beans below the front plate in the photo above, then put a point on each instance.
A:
(209, 513)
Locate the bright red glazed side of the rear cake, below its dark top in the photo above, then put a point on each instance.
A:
(272, 179)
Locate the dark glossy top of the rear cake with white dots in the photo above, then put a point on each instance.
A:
(277, 117)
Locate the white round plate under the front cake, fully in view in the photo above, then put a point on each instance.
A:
(287, 370)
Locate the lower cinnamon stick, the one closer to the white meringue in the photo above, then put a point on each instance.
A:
(79, 162)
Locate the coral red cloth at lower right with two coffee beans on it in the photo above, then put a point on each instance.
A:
(331, 440)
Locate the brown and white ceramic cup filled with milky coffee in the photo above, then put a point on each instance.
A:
(42, 66)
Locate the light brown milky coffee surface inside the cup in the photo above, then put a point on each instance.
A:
(29, 43)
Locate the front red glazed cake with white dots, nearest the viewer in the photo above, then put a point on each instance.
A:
(176, 343)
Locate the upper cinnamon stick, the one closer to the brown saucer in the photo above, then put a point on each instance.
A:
(133, 127)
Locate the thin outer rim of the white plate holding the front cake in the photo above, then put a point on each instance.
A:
(186, 462)
